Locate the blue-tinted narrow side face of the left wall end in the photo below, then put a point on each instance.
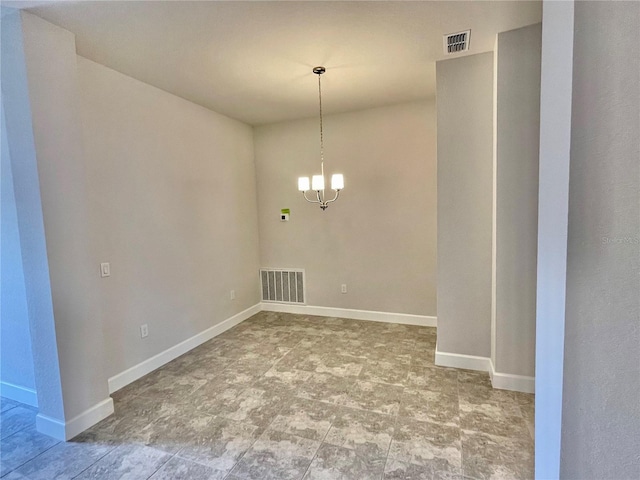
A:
(24, 168)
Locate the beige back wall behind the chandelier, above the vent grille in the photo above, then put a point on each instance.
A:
(379, 238)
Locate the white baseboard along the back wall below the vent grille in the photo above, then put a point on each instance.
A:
(403, 318)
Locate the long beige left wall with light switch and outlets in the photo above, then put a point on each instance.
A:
(171, 191)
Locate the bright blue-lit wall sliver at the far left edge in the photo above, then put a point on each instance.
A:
(17, 378)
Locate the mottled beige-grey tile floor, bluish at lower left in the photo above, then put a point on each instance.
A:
(285, 396)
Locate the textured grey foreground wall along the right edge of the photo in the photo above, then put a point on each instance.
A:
(601, 411)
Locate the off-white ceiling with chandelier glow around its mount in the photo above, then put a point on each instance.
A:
(252, 60)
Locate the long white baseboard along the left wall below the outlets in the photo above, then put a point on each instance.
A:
(140, 370)
